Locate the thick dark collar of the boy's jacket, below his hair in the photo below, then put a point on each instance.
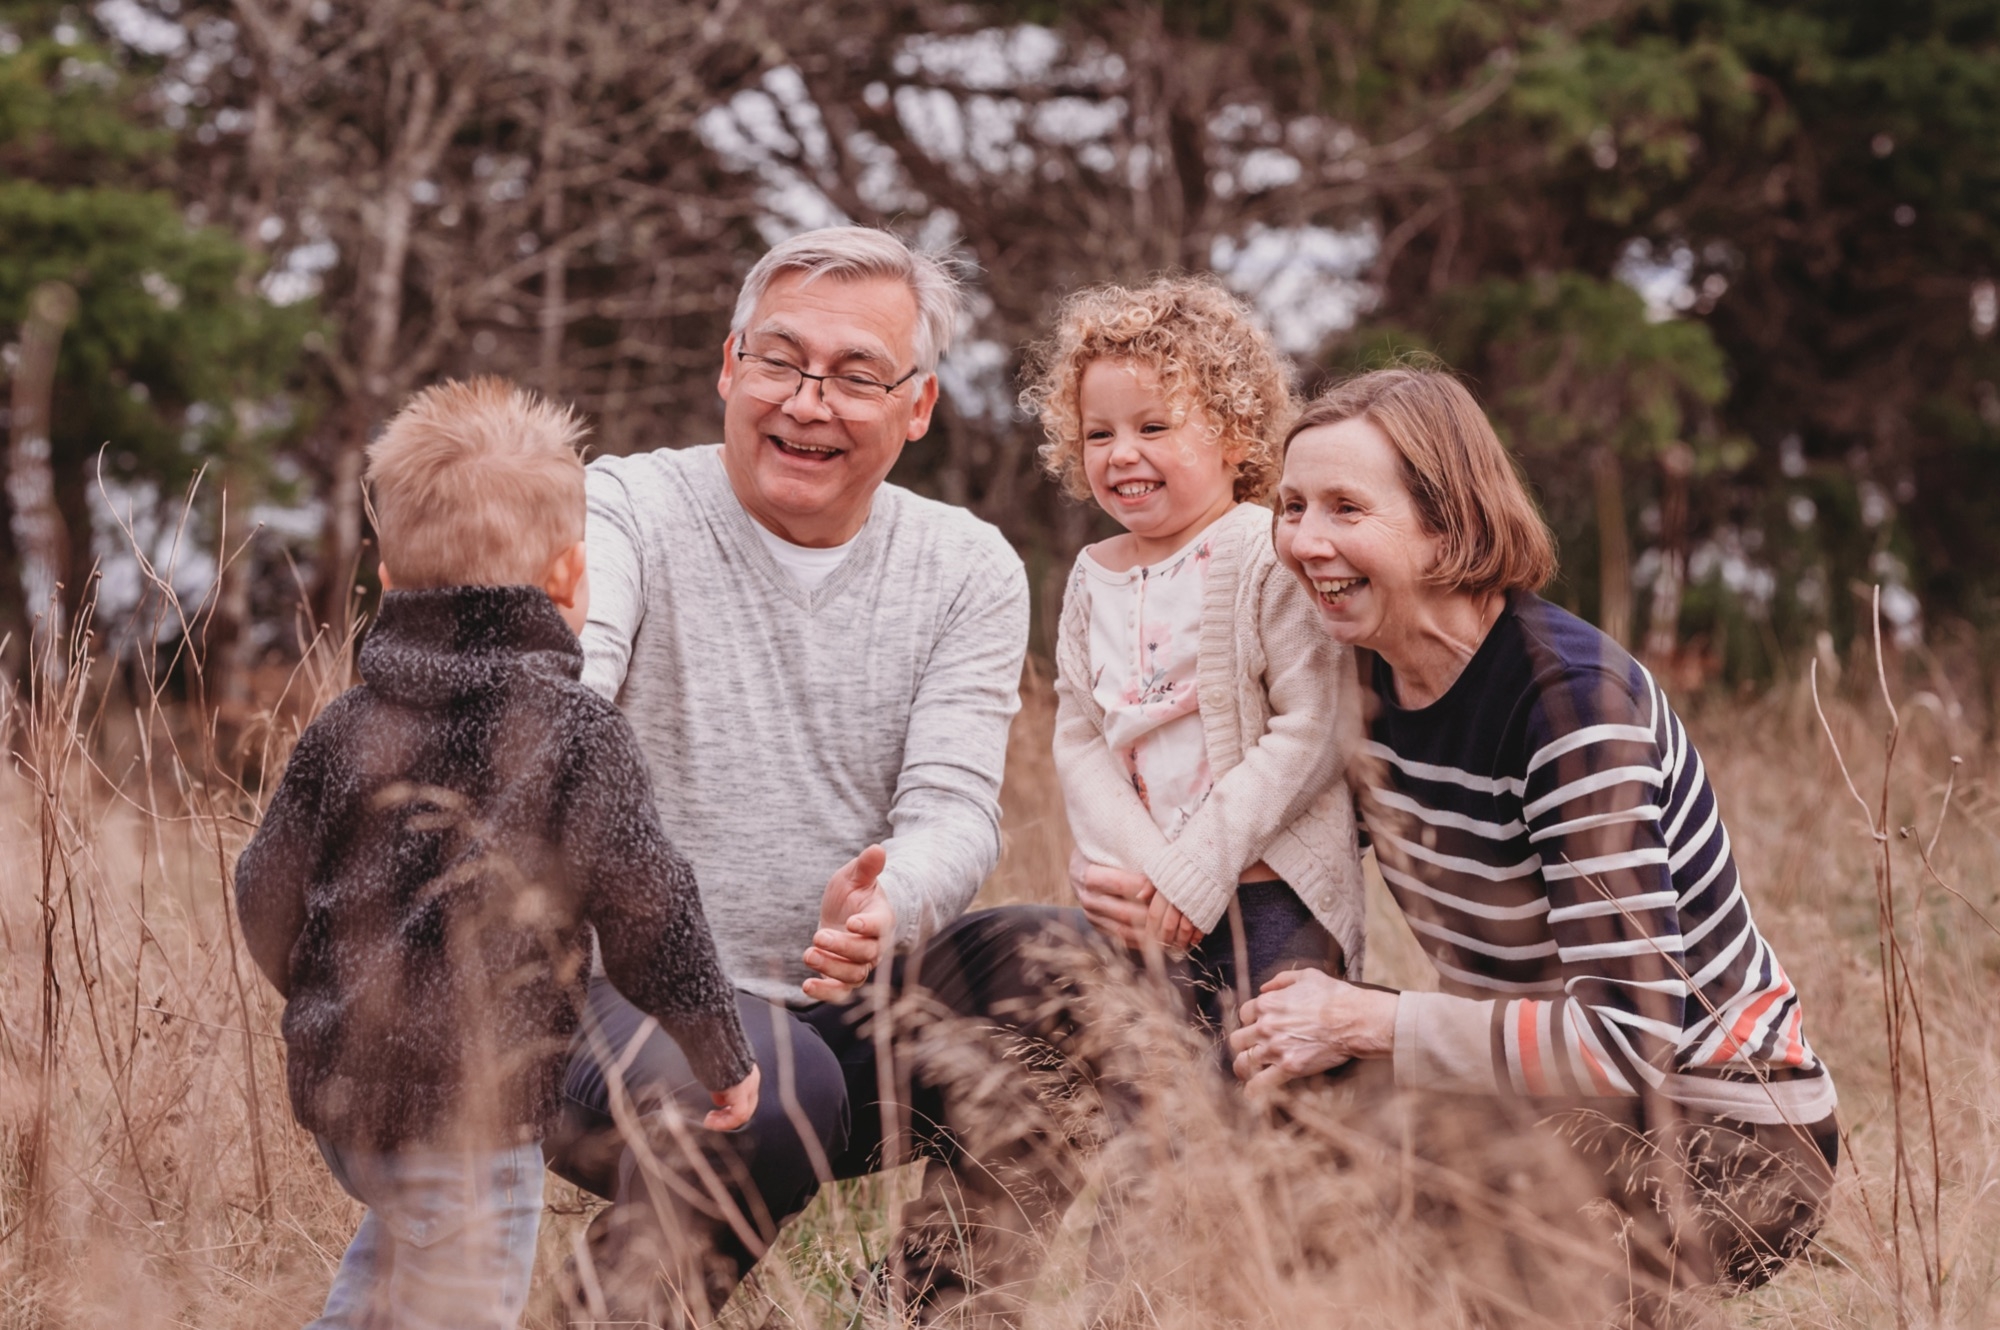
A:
(431, 647)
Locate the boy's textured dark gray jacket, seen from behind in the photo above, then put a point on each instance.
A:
(423, 879)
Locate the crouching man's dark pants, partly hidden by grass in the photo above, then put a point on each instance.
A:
(821, 1115)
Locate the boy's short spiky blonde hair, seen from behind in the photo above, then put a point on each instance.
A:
(477, 485)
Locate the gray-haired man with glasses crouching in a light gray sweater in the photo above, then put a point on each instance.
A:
(821, 669)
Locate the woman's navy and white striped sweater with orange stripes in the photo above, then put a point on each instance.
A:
(1555, 843)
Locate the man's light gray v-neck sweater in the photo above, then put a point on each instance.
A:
(787, 731)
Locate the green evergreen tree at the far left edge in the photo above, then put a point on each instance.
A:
(167, 359)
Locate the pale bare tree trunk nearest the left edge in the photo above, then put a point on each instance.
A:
(41, 535)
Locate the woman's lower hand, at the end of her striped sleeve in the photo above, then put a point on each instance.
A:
(1305, 1023)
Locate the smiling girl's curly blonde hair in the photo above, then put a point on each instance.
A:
(1209, 353)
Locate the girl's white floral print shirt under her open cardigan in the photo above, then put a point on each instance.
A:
(1145, 639)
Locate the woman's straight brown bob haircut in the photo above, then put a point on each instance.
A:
(1465, 483)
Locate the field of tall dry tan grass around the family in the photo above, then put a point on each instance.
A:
(151, 1173)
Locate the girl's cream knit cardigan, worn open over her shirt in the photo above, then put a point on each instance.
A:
(1277, 743)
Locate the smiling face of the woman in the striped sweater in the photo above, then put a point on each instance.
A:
(1349, 529)
